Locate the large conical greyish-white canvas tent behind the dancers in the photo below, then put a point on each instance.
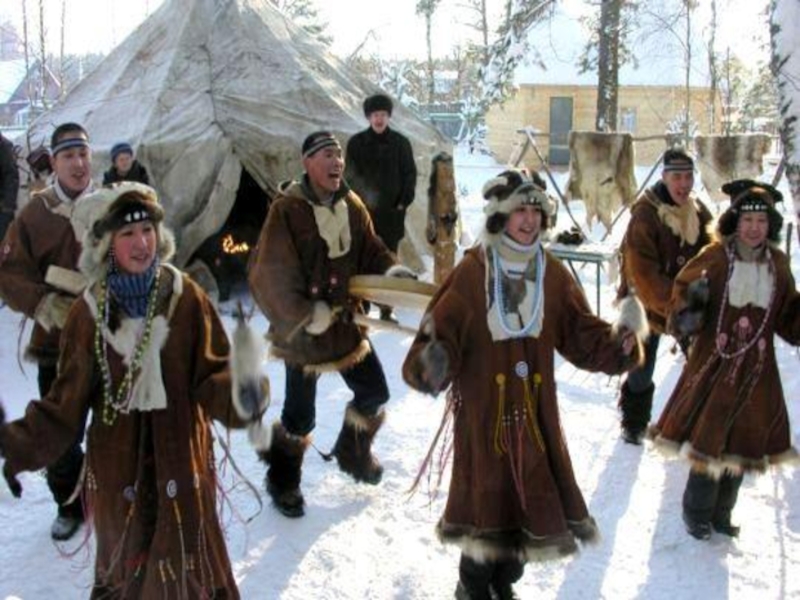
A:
(209, 91)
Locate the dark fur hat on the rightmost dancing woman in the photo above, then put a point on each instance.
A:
(751, 196)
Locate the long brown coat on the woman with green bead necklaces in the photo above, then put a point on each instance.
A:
(150, 483)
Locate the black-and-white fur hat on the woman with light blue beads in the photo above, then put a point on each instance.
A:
(511, 189)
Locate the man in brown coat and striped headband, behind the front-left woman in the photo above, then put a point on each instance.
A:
(43, 236)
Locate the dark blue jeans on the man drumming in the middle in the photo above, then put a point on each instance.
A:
(365, 379)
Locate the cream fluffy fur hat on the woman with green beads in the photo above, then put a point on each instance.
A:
(103, 212)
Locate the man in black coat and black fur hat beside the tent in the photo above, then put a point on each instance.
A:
(381, 170)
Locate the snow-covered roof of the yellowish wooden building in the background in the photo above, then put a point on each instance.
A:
(658, 52)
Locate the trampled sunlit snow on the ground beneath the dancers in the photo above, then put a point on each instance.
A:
(358, 541)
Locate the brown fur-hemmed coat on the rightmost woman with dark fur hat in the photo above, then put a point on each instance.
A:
(730, 413)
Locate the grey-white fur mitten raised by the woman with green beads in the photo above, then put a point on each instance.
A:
(250, 387)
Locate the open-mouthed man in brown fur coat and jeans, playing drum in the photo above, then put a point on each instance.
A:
(317, 235)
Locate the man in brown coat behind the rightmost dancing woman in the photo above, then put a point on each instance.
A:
(668, 226)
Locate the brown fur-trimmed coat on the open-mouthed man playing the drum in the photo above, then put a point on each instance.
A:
(293, 268)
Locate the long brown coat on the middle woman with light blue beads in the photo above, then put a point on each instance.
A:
(515, 499)
